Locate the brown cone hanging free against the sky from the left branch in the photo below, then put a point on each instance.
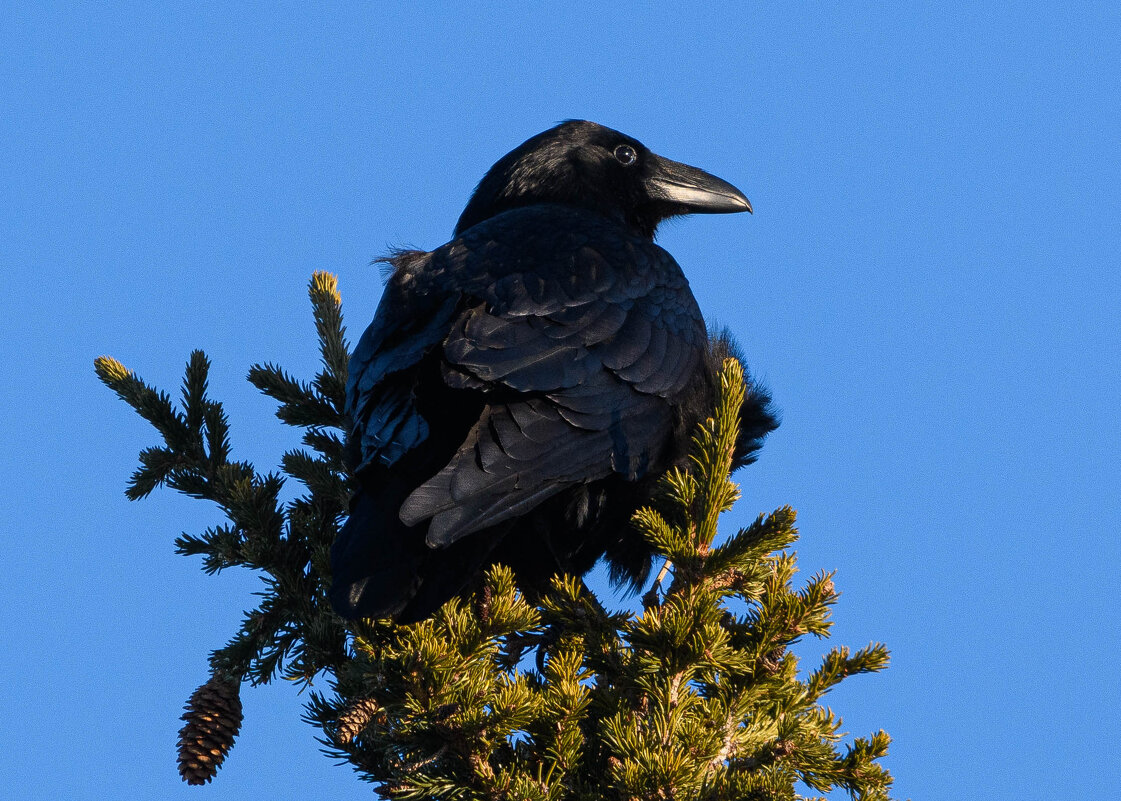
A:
(214, 720)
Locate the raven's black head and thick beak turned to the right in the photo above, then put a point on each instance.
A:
(586, 165)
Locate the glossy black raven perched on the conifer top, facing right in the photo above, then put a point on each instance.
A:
(522, 388)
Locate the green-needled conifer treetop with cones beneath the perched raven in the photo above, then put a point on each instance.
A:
(697, 697)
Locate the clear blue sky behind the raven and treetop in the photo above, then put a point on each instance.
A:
(930, 287)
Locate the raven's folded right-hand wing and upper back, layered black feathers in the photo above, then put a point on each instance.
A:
(581, 338)
